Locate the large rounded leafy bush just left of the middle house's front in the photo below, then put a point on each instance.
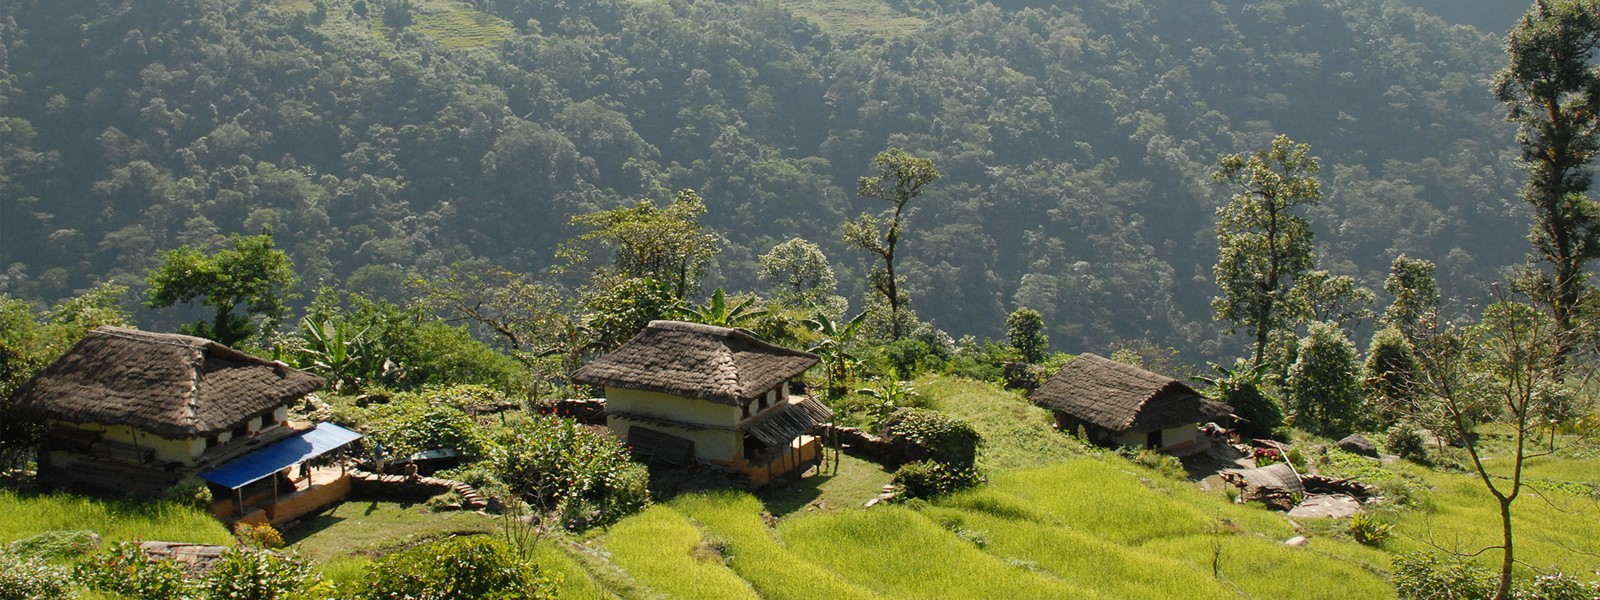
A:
(586, 476)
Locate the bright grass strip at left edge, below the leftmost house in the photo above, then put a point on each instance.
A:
(30, 514)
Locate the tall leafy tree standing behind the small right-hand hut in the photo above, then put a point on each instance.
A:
(1263, 246)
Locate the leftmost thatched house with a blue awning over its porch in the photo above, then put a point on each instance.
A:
(137, 412)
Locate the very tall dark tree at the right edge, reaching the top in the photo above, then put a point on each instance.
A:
(1551, 89)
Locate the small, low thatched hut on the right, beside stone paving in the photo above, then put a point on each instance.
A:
(1124, 406)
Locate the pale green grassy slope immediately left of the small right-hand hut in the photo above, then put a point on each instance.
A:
(1017, 434)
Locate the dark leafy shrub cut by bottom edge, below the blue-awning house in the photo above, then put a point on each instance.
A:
(476, 567)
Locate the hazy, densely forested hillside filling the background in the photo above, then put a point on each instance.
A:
(1076, 138)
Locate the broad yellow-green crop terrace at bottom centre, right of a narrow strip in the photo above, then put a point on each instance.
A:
(902, 553)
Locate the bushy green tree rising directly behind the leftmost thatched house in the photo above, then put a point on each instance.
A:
(254, 274)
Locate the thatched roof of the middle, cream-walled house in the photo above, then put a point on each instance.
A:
(698, 362)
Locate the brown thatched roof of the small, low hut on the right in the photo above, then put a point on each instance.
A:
(1122, 398)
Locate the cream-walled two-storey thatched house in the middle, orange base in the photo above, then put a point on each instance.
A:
(684, 393)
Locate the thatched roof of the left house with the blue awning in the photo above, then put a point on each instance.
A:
(162, 383)
